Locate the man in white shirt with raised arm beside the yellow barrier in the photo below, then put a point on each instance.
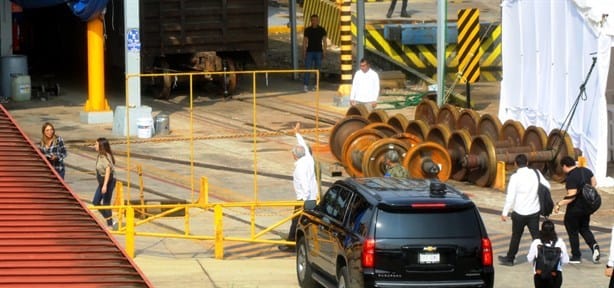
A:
(304, 180)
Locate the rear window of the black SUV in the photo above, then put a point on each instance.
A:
(427, 224)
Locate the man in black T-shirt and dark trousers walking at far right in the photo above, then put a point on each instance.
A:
(578, 213)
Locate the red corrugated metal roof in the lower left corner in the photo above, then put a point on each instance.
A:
(48, 237)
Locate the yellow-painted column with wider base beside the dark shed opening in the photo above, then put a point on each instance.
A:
(96, 100)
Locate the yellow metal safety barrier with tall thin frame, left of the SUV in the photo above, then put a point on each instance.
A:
(125, 210)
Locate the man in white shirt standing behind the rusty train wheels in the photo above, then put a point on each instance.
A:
(365, 86)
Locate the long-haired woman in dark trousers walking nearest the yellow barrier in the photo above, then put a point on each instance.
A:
(106, 179)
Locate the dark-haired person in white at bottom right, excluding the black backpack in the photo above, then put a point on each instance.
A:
(548, 238)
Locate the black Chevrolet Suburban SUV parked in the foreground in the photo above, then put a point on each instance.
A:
(389, 232)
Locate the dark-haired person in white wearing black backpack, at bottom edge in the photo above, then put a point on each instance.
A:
(548, 254)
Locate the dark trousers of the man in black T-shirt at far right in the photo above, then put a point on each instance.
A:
(576, 221)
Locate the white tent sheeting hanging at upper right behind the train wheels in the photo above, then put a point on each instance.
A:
(548, 50)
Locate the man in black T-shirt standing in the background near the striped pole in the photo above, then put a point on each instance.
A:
(314, 47)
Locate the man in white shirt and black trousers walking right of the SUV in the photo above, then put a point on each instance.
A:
(522, 199)
